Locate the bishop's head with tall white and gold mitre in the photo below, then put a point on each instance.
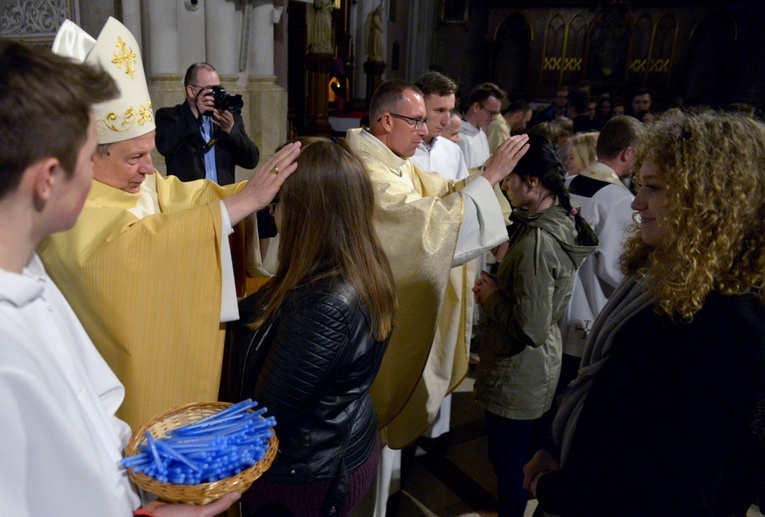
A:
(125, 125)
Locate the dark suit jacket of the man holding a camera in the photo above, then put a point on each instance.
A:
(179, 140)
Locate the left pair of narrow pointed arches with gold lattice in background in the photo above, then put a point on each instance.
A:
(563, 51)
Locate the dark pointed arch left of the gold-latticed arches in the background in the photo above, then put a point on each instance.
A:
(513, 40)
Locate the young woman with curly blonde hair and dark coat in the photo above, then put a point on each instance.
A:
(666, 416)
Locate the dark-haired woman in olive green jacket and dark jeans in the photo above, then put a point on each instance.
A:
(521, 351)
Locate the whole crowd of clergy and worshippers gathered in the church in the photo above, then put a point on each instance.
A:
(616, 262)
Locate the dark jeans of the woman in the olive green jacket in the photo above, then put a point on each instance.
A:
(509, 451)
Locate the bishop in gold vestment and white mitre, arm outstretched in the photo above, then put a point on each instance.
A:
(147, 267)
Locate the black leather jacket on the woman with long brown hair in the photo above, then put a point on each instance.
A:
(315, 363)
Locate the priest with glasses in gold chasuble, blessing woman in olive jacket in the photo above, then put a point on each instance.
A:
(427, 225)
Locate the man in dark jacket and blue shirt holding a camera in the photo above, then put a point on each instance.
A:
(200, 140)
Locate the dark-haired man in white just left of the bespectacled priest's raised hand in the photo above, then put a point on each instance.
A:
(484, 105)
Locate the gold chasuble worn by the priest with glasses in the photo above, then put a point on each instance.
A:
(418, 227)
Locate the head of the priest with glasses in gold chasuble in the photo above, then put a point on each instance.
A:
(398, 117)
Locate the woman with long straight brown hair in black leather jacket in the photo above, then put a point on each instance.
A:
(310, 342)
